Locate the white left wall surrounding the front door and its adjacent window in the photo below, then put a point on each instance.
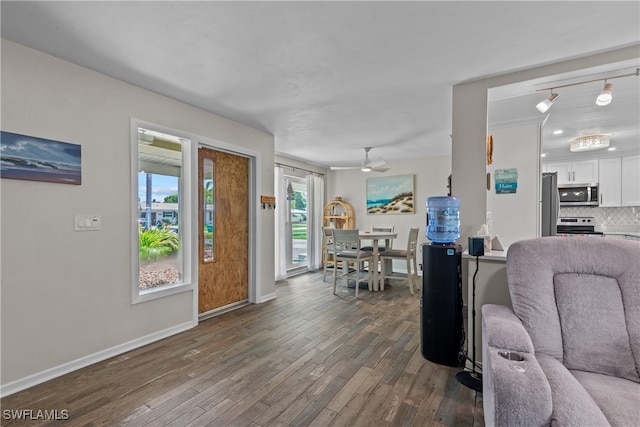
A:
(66, 296)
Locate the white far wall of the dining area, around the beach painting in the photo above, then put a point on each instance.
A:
(431, 174)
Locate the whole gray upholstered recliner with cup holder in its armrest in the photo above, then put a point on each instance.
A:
(569, 353)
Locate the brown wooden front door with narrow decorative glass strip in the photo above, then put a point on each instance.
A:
(223, 229)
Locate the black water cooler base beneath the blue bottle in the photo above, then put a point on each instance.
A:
(441, 304)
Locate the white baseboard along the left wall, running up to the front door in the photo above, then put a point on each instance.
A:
(74, 365)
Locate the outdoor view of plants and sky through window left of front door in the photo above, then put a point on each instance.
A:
(159, 210)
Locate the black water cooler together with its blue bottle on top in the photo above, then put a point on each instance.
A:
(441, 299)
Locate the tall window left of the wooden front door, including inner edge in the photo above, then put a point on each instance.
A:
(161, 235)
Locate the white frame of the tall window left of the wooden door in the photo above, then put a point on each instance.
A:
(185, 216)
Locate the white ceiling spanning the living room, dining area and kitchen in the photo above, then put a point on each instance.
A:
(329, 78)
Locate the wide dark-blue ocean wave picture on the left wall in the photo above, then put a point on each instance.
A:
(39, 159)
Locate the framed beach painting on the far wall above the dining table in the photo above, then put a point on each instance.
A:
(390, 195)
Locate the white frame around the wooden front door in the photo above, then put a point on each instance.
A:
(255, 188)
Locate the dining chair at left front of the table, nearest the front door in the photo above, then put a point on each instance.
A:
(346, 250)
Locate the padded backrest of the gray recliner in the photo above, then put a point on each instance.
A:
(579, 299)
